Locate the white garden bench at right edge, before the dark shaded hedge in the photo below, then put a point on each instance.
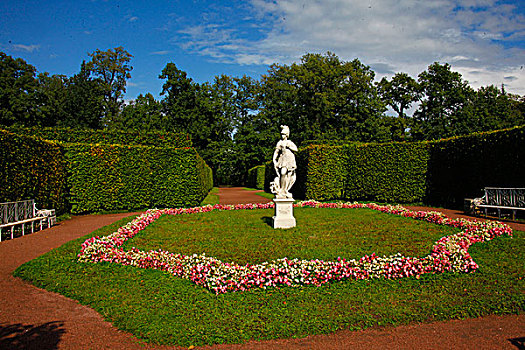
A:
(501, 198)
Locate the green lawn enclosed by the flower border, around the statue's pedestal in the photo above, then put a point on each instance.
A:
(246, 236)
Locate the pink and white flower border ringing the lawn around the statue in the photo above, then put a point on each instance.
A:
(449, 253)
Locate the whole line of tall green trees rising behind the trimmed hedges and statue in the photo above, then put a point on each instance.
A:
(234, 122)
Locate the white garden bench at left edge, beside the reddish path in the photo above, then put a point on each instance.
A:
(21, 213)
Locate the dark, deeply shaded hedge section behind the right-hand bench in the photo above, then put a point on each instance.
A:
(461, 167)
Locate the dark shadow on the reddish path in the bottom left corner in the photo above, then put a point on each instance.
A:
(20, 336)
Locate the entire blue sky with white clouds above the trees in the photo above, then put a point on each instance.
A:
(482, 39)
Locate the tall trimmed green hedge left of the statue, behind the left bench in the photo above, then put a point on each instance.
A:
(80, 177)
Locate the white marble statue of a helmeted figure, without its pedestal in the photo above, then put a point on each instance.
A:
(284, 164)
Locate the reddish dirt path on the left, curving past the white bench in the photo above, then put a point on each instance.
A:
(32, 318)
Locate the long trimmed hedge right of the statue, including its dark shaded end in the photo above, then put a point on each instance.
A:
(440, 173)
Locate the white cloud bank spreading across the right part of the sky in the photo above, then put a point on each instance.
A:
(481, 36)
